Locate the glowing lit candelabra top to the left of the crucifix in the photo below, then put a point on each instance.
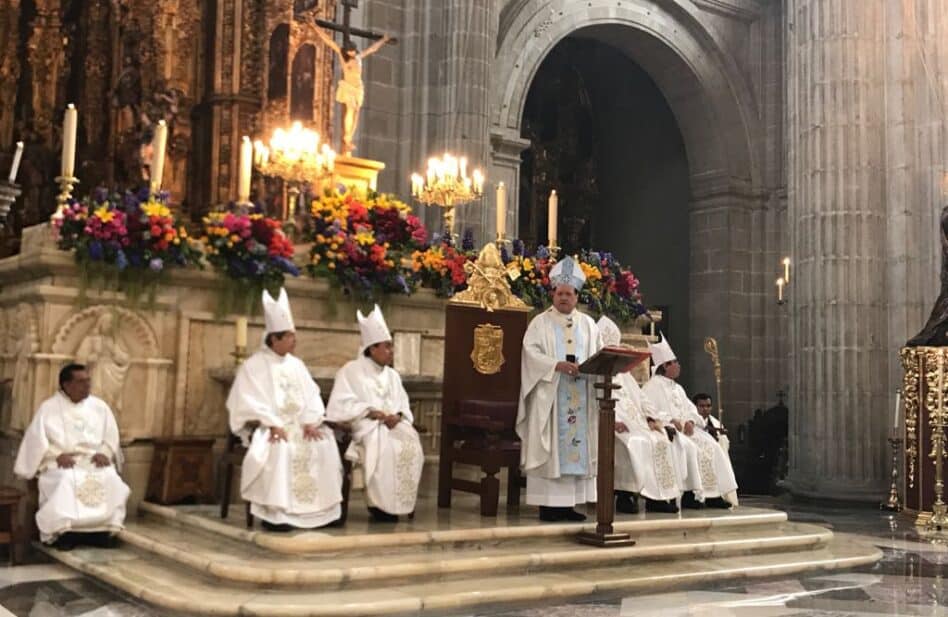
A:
(295, 155)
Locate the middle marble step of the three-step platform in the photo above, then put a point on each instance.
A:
(238, 561)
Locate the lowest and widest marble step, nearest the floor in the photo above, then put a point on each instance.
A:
(177, 588)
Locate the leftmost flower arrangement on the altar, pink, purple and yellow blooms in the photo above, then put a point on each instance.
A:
(130, 238)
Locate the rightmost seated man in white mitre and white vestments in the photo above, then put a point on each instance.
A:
(706, 470)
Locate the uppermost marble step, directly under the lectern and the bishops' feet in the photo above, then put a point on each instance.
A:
(448, 527)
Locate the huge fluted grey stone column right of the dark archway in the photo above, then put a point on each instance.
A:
(835, 116)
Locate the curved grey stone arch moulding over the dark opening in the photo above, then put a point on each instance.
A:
(711, 100)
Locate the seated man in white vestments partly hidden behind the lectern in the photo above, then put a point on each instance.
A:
(643, 456)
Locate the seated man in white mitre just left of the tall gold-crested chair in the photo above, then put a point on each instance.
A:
(369, 396)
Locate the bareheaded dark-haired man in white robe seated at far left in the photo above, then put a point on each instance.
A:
(72, 444)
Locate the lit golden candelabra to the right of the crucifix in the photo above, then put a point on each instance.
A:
(446, 184)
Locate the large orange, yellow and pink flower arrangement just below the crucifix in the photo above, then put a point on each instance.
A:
(361, 241)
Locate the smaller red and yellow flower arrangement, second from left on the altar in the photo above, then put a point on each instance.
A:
(252, 253)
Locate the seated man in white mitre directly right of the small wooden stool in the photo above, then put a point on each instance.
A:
(292, 473)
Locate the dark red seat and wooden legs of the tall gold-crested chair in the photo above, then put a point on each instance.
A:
(481, 433)
